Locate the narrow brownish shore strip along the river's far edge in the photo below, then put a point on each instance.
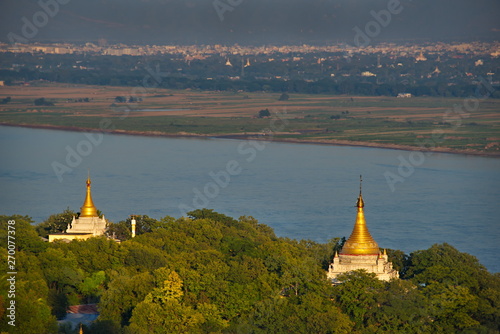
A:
(255, 136)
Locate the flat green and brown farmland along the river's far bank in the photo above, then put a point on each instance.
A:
(424, 123)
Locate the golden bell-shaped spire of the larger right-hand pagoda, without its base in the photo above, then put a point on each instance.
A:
(360, 242)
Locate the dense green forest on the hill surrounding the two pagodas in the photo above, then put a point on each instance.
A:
(210, 273)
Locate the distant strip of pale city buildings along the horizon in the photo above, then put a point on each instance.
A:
(102, 47)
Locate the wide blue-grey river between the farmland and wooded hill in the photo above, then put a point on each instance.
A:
(302, 191)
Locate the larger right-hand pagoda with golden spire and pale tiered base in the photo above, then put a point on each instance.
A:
(361, 251)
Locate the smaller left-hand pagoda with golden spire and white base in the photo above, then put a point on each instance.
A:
(88, 224)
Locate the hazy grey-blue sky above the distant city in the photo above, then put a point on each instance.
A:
(249, 21)
